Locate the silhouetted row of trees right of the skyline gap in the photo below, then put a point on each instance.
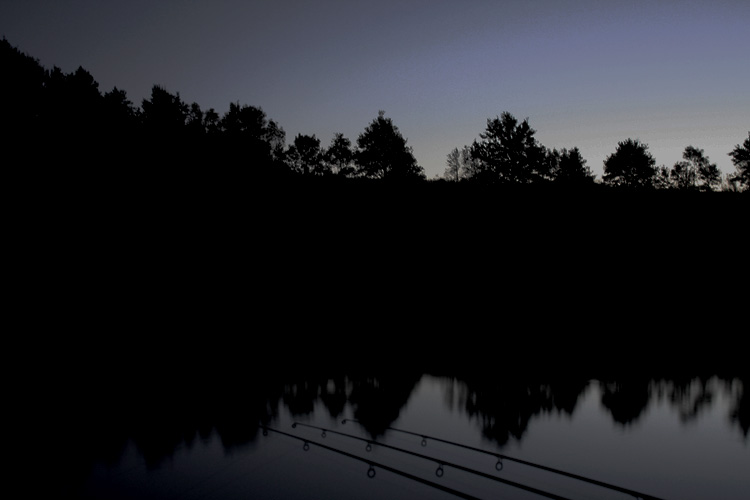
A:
(508, 153)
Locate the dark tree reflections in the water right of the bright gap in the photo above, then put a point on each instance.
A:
(505, 408)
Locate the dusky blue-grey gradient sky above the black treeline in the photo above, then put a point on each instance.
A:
(587, 73)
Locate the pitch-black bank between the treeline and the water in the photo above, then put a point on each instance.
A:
(637, 279)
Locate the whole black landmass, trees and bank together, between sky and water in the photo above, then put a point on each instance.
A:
(172, 218)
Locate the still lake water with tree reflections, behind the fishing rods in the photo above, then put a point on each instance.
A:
(673, 437)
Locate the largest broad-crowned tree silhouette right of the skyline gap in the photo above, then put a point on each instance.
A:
(509, 153)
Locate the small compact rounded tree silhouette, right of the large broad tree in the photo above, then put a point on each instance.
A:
(631, 165)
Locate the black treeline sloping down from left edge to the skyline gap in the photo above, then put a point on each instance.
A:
(57, 121)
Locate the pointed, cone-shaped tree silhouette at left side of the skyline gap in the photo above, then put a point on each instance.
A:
(383, 153)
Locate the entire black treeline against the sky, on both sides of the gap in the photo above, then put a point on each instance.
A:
(58, 121)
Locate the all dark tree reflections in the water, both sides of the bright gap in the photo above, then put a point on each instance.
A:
(159, 417)
